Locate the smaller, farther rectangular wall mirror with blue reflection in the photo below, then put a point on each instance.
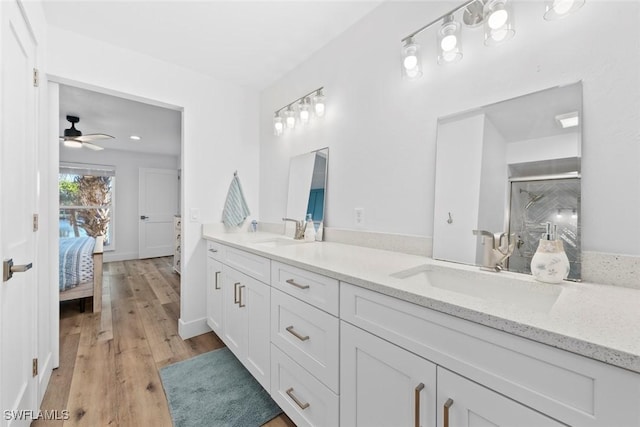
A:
(308, 186)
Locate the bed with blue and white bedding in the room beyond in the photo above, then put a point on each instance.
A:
(80, 272)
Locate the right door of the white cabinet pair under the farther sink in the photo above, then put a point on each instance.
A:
(255, 300)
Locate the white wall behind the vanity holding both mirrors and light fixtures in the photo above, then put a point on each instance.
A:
(381, 129)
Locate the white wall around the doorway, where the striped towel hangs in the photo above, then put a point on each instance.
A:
(220, 135)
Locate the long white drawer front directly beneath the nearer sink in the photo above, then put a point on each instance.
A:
(573, 389)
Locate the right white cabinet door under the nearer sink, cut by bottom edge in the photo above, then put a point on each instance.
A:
(473, 405)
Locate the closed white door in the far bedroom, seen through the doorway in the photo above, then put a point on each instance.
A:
(158, 204)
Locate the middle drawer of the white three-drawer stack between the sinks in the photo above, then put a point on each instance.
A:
(308, 335)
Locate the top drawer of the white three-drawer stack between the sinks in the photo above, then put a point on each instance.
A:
(315, 289)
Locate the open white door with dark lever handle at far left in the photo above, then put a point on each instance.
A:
(18, 195)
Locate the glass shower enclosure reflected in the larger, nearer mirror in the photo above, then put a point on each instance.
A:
(533, 204)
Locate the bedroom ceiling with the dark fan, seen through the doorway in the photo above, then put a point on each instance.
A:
(159, 128)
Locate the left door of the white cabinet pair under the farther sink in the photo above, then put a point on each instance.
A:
(234, 316)
